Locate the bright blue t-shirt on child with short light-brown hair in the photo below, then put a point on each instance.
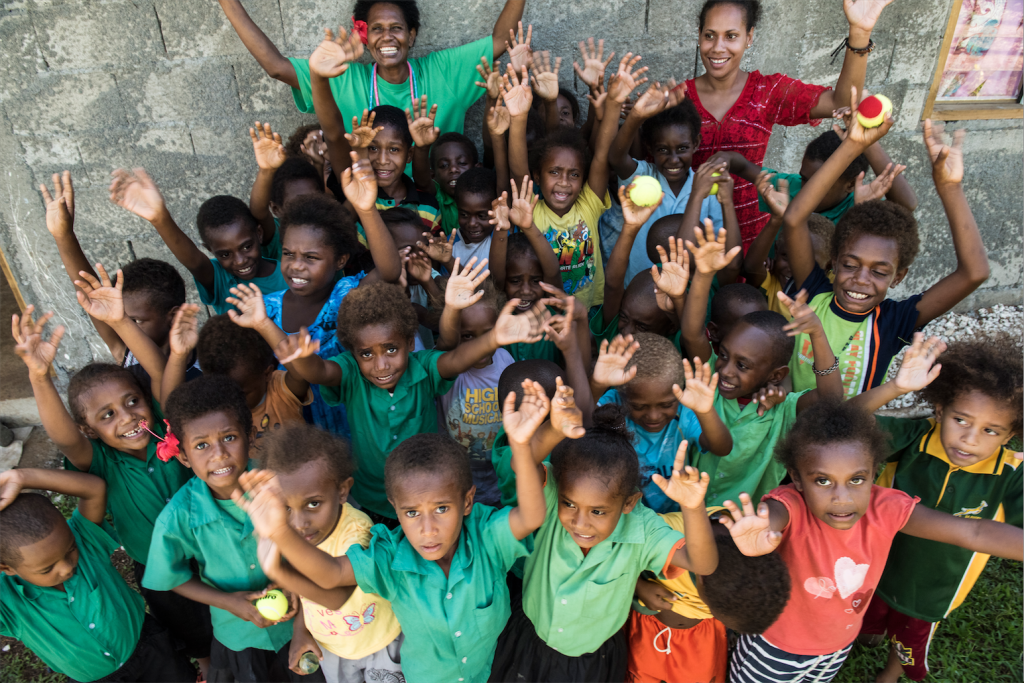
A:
(657, 452)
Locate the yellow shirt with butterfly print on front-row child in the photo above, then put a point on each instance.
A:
(366, 623)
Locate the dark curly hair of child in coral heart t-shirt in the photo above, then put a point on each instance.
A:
(827, 423)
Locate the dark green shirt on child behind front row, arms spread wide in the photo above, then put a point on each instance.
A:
(385, 420)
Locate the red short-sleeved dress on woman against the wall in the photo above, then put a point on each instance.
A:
(766, 101)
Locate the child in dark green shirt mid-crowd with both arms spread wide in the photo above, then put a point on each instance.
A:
(389, 389)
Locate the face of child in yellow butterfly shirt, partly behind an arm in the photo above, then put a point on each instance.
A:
(314, 500)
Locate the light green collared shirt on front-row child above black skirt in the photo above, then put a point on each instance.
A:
(577, 603)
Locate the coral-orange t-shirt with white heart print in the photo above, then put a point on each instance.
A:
(833, 573)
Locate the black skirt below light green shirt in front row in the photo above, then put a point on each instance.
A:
(522, 656)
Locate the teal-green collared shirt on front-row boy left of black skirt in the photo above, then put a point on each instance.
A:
(451, 623)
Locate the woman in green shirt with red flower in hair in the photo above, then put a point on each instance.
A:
(393, 78)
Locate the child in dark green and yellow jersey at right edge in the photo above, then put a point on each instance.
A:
(957, 462)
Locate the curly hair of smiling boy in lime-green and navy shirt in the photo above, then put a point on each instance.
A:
(881, 220)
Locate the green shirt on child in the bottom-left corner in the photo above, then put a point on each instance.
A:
(89, 630)
